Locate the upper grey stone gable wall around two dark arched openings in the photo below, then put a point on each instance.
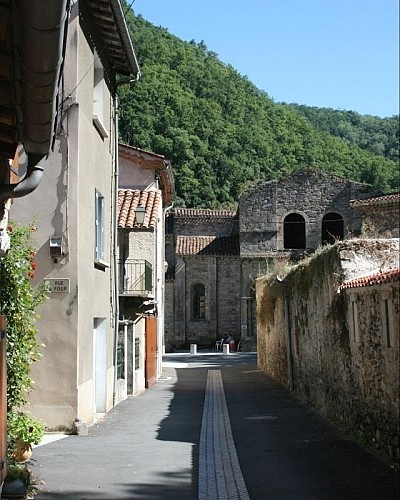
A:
(310, 193)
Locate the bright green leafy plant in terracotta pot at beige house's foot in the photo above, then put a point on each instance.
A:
(23, 430)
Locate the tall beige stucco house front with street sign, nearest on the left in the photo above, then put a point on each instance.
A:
(76, 376)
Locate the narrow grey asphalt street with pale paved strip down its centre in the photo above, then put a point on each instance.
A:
(214, 427)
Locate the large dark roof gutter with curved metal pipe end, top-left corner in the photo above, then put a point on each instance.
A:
(40, 34)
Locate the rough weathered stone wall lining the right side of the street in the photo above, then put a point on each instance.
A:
(307, 341)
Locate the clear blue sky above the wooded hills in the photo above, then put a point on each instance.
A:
(341, 54)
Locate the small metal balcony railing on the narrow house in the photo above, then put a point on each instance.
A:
(135, 277)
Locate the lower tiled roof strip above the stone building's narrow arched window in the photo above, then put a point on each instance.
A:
(207, 245)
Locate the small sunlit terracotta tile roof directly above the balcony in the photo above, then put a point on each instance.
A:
(130, 199)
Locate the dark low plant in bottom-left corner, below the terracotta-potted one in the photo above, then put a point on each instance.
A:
(19, 482)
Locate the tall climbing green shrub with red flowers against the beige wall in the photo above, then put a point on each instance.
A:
(19, 300)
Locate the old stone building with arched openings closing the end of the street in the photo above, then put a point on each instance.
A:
(215, 256)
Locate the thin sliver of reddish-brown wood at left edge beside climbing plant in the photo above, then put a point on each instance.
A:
(3, 400)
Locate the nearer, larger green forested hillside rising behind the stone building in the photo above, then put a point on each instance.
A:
(221, 133)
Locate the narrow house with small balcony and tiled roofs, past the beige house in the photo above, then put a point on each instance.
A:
(145, 182)
